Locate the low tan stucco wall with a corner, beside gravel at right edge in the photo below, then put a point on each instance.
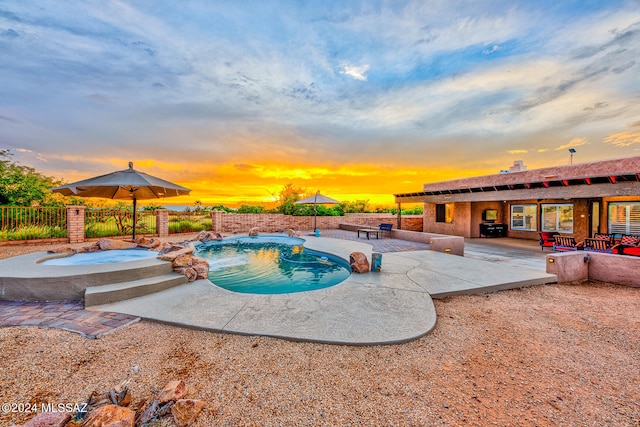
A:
(581, 265)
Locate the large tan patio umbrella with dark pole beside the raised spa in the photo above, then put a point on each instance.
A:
(128, 184)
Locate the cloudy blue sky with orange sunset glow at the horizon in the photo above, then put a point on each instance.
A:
(357, 99)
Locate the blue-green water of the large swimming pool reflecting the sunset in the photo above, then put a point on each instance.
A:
(270, 265)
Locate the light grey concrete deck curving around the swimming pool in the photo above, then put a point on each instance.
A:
(392, 306)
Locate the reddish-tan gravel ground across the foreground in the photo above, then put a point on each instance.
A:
(556, 355)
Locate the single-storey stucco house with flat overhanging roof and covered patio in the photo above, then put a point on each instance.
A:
(579, 199)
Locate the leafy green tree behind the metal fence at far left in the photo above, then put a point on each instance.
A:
(23, 186)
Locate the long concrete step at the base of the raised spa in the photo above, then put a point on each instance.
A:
(105, 294)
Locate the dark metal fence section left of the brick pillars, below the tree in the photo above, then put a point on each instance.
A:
(27, 223)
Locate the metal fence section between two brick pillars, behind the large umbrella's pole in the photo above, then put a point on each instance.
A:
(111, 222)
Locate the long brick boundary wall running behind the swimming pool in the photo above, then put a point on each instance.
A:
(239, 223)
